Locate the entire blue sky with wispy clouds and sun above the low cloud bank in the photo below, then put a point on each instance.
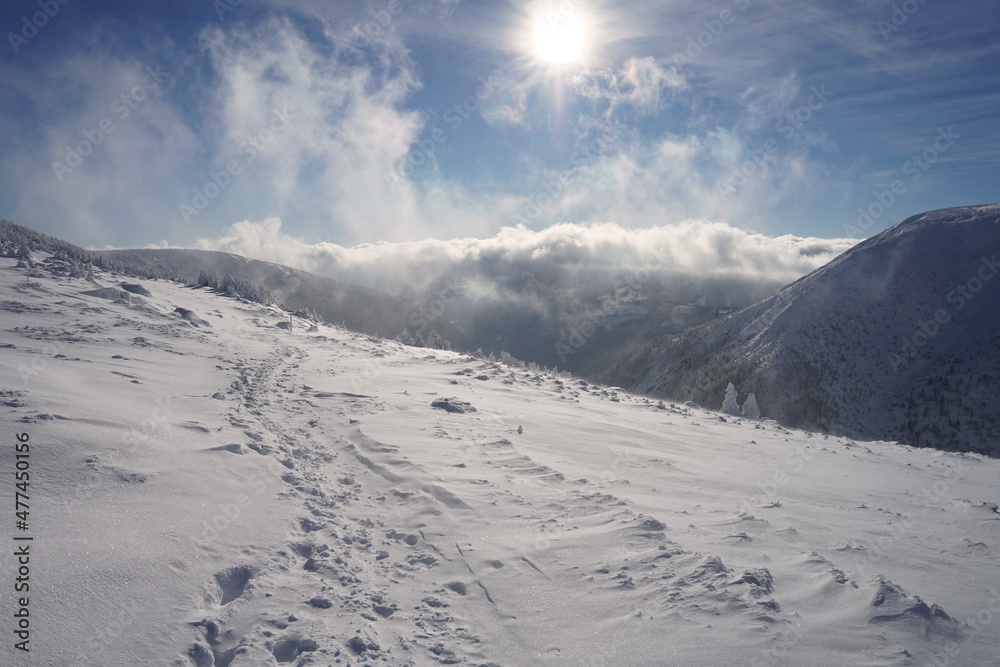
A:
(129, 124)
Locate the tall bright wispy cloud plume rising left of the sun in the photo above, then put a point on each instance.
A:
(343, 159)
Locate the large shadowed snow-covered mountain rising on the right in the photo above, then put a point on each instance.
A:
(898, 338)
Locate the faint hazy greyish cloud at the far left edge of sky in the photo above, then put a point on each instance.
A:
(102, 131)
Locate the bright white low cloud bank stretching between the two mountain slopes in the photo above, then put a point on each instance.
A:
(691, 250)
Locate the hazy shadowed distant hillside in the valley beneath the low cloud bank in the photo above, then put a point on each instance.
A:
(575, 319)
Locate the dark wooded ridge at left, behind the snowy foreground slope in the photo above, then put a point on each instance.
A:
(358, 308)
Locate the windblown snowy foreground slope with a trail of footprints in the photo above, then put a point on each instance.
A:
(233, 493)
